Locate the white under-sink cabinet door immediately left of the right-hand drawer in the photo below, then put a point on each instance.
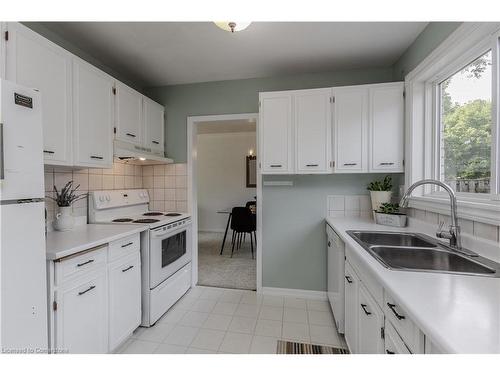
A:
(370, 324)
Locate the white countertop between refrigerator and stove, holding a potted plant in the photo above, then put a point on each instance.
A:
(61, 244)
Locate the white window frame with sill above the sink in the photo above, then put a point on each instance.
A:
(463, 46)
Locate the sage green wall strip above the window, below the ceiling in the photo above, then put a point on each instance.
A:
(424, 44)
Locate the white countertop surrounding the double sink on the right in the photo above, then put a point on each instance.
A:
(459, 313)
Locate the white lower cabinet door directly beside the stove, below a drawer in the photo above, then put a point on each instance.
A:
(124, 298)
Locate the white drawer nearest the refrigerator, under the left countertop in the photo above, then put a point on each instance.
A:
(74, 266)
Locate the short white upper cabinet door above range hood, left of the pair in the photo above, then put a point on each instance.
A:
(128, 112)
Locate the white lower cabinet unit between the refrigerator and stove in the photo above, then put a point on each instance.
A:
(97, 305)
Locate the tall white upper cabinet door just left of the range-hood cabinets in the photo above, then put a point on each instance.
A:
(93, 116)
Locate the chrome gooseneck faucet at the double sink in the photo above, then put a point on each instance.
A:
(453, 234)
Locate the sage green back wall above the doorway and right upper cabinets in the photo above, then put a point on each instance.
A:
(239, 96)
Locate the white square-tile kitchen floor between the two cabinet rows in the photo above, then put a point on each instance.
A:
(213, 320)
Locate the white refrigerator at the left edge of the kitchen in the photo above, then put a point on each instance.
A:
(23, 284)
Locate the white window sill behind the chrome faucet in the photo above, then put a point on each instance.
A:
(486, 211)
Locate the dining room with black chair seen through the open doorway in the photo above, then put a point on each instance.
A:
(226, 203)
